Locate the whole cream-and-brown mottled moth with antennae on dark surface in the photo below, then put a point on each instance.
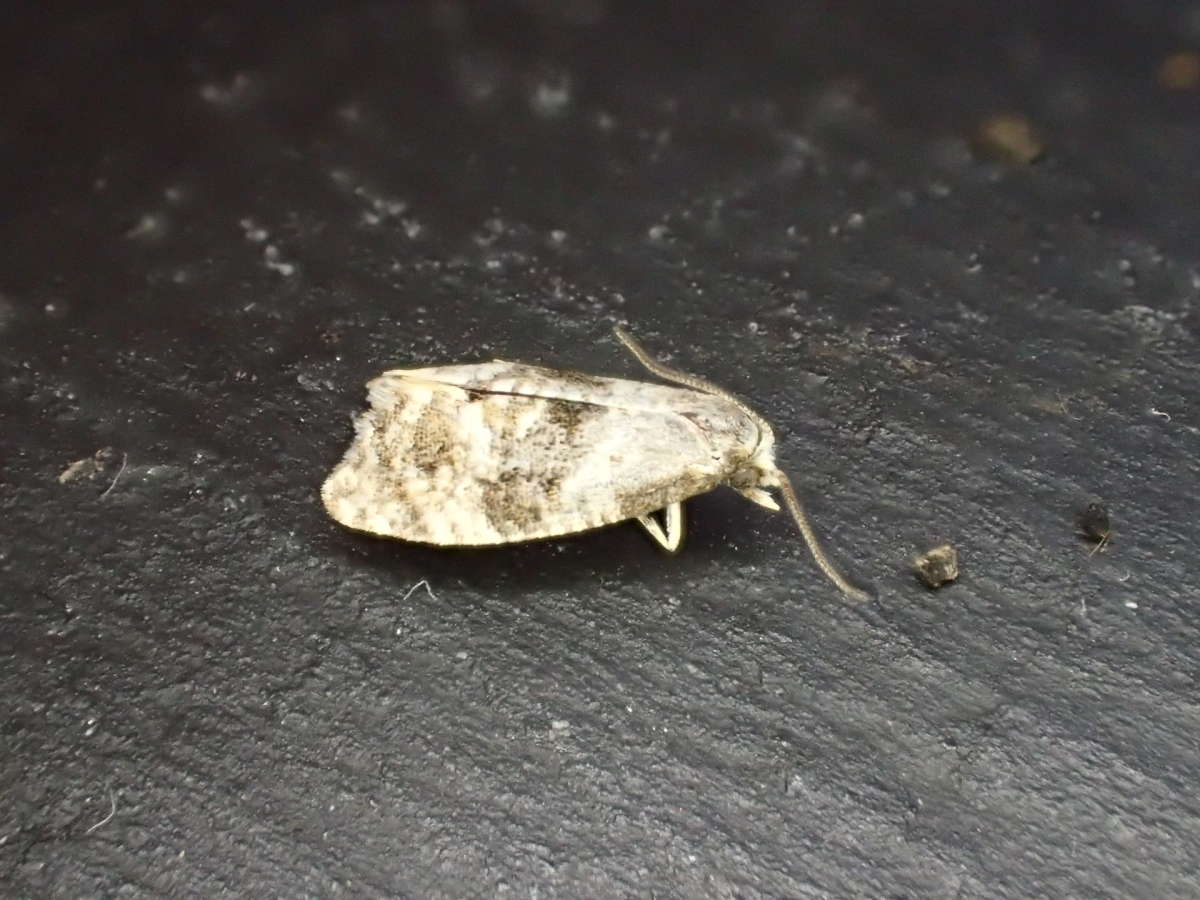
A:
(499, 453)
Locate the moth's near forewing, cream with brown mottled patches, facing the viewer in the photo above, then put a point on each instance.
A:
(439, 464)
